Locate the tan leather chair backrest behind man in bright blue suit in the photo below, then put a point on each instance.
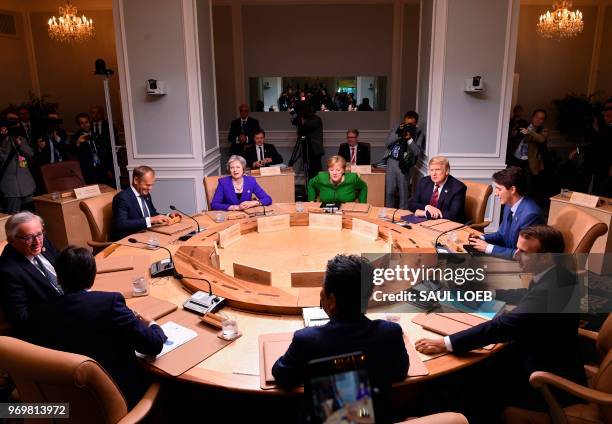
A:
(580, 230)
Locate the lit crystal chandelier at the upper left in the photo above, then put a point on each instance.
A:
(69, 27)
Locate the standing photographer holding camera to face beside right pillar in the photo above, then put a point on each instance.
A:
(401, 156)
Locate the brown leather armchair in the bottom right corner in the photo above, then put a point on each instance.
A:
(598, 396)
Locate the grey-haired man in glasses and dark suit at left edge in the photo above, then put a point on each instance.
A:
(27, 273)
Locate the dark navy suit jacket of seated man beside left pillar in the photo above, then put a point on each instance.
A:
(127, 216)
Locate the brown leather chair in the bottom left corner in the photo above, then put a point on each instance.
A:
(46, 375)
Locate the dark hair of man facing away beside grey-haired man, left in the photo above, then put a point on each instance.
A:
(75, 268)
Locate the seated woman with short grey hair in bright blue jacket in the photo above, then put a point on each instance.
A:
(237, 192)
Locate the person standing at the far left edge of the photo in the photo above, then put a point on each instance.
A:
(16, 182)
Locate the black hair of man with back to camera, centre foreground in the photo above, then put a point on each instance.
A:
(349, 279)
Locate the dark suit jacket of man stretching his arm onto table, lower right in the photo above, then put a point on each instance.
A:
(540, 337)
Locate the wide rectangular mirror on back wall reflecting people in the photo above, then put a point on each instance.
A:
(283, 94)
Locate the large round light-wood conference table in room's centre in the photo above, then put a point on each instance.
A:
(275, 306)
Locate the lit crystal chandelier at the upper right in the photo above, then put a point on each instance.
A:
(562, 22)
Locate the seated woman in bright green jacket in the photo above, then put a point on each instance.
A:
(334, 186)
